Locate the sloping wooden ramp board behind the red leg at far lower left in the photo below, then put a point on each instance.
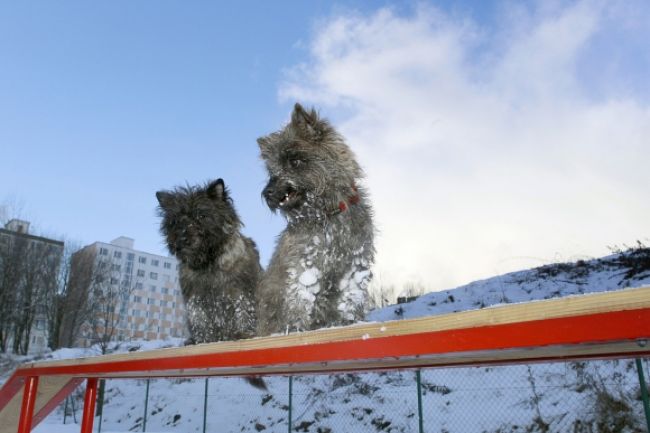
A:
(48, 387)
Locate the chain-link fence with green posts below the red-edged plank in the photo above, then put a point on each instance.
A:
(575, 397)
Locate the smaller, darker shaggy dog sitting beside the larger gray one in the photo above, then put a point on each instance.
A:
(219, 269)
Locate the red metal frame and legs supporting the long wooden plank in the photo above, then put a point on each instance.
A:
(600, 335)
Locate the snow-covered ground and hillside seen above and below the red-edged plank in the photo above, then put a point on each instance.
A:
(576, 397)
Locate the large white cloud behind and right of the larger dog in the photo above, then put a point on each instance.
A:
(484, 150)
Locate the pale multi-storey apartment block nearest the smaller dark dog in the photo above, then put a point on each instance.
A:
(148, 302)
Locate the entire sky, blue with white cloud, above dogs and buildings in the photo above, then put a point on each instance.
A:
(494, 138)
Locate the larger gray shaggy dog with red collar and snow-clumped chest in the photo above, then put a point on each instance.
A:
(320, 270)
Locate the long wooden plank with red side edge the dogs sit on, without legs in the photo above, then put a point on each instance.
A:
(590, 325)
